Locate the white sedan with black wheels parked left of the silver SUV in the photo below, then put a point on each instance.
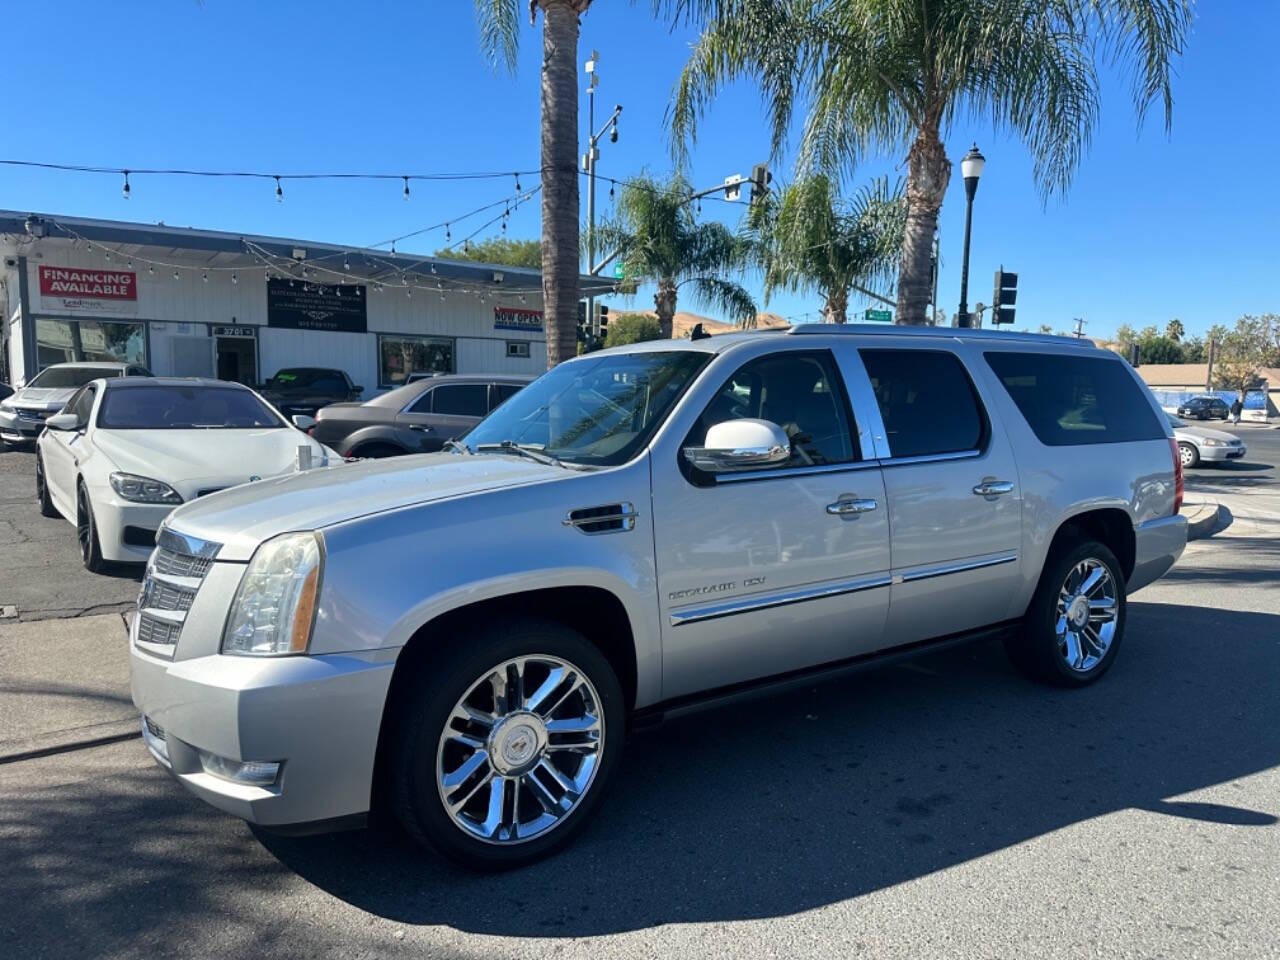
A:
(125, 452)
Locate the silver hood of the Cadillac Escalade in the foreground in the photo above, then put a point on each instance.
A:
(243, 518)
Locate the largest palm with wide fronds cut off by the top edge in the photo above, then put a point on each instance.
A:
(898, 75)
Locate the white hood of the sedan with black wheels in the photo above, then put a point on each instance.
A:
(191, 461)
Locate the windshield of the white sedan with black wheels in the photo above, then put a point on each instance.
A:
(185, 409)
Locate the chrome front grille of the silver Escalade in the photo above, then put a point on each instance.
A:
(173, 579)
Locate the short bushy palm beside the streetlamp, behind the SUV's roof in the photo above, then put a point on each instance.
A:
(806, 239)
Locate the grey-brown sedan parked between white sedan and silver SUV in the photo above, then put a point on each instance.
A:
(415, 419)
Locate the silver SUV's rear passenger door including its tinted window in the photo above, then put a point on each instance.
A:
(953, 490)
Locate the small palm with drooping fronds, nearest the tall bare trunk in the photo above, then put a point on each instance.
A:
(659, 241)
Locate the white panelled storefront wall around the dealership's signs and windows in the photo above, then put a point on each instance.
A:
(179, 314)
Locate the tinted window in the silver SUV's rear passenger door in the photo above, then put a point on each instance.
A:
(927, 403)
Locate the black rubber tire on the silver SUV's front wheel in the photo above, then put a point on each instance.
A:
(423, 712)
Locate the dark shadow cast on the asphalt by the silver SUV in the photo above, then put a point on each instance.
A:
(819, 797)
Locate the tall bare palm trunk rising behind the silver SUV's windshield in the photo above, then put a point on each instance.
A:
(500, 39)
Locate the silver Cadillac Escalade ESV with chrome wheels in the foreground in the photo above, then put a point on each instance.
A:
(464, 638)
